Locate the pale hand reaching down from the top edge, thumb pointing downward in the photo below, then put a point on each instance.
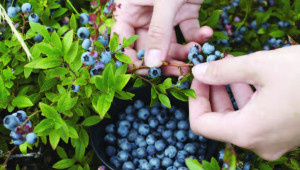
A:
(154, 21)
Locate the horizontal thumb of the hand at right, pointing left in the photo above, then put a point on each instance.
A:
(244, 69)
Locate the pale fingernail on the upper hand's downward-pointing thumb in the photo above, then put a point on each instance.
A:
(153, 58)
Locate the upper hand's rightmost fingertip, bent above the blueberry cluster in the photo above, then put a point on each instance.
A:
(192, 32)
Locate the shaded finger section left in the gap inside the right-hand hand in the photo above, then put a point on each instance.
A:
(220, 99)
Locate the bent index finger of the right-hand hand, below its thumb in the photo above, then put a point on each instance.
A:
(203, 122)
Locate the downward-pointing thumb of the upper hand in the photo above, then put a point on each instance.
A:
(160, 31)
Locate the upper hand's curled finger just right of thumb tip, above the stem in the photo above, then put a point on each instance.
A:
(180, 52)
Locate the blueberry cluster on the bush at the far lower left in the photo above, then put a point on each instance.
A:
(19, 133)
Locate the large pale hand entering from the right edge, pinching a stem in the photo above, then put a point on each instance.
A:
(268, 121)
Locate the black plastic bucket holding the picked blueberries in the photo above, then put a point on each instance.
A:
(98, 131)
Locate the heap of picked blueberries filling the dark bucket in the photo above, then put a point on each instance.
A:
(152, 138)
